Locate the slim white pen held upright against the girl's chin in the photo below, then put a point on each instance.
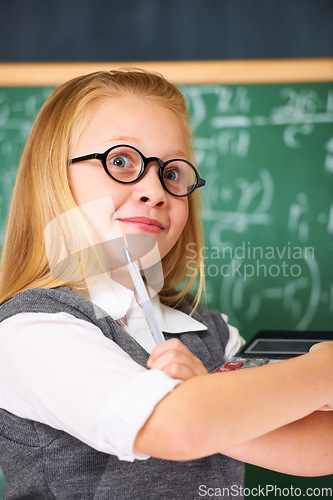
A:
(143, 297)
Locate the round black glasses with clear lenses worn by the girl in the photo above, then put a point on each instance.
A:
(126, 164)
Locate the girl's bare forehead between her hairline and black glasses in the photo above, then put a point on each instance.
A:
(143, 119)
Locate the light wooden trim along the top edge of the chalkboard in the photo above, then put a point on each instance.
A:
(179, 72)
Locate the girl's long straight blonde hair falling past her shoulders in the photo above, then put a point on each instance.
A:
(42, 193)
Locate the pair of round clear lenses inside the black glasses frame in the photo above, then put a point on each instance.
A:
(125, 165)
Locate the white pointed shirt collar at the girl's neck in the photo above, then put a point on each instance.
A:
(119, 301)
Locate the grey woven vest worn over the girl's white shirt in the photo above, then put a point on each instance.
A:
(41, 463)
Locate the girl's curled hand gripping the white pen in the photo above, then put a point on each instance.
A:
(176, 360)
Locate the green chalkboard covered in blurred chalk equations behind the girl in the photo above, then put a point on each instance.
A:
(266, 152)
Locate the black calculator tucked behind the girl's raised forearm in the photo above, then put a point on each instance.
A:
(271, 346)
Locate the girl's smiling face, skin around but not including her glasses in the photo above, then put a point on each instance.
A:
(143, 207)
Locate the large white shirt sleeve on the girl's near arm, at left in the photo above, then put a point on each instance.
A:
(65, 373)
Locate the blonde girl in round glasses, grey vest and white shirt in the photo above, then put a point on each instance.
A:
(91, 407)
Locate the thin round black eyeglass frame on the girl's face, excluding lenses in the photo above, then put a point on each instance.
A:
(199, 182)
